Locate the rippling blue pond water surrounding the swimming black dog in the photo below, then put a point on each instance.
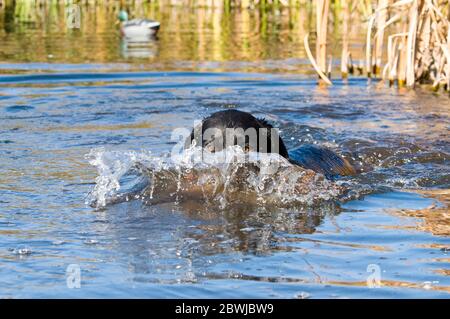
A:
(53, 115)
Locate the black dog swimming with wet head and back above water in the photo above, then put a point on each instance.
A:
(311, 157)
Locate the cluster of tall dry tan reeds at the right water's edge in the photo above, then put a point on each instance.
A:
(418, 33)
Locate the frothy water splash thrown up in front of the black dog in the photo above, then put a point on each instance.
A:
(218, 178)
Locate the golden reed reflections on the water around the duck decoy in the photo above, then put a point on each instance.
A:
(189, 37)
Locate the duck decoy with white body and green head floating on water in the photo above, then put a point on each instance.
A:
(137, 28)
